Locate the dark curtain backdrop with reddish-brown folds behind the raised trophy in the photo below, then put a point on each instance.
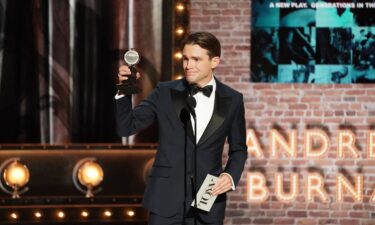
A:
(59, 62)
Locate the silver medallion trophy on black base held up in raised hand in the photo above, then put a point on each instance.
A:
(128, 87)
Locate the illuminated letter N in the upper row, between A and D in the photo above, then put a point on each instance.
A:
(278, 141)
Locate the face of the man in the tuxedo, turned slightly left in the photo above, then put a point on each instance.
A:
(197, 64)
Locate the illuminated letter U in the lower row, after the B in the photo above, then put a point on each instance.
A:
(280, 194)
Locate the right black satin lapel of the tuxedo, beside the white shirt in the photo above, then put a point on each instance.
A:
(221, 109)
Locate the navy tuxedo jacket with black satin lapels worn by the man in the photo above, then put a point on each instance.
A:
(165, 191)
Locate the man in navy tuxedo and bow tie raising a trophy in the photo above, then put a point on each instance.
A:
(219, 115)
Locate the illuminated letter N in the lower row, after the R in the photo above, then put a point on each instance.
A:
(343, 184)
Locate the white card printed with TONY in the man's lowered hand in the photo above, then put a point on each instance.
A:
(205, 199)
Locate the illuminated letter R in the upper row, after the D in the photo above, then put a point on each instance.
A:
(346, 140)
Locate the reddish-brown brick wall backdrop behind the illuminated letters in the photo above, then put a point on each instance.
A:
(286, 107)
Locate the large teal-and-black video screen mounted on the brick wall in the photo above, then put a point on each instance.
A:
(310, 41)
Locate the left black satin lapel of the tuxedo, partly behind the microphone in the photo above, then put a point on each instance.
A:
(179, 102)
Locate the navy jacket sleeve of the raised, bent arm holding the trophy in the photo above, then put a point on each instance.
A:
(130, 121)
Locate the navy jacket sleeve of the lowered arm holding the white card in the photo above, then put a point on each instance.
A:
(237, 144)
